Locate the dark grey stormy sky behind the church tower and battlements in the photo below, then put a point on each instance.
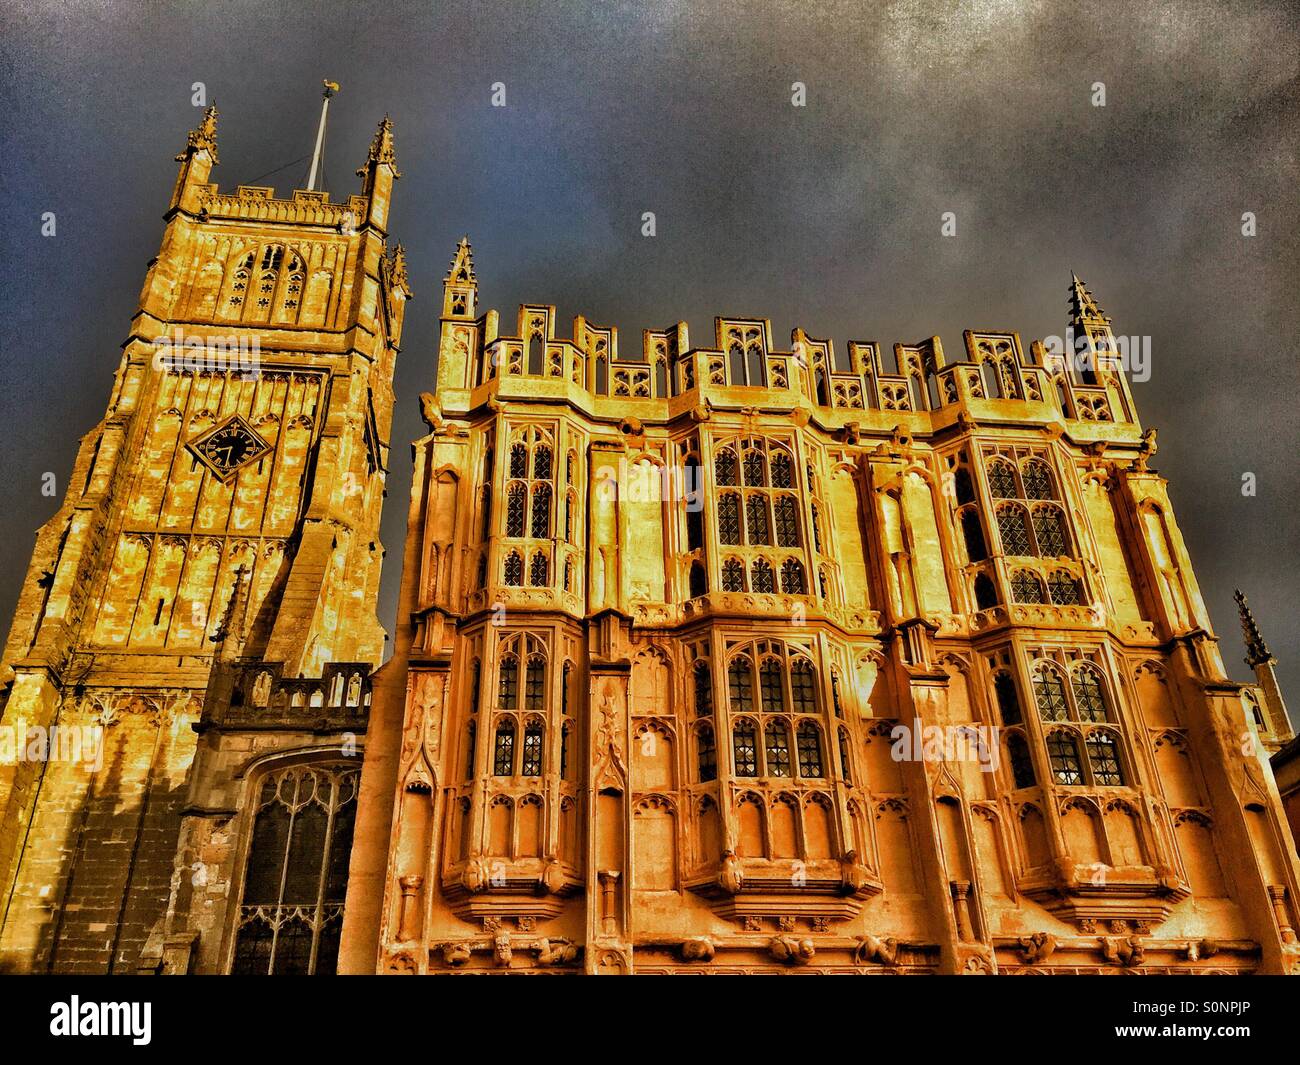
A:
(825, 217)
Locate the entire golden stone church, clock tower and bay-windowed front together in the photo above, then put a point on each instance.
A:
(720, 660)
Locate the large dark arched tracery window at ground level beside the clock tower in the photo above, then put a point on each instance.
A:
(296, 881)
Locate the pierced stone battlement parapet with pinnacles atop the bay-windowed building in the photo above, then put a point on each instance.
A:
(744, 369)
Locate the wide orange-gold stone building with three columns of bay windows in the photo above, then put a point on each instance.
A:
(734, 659)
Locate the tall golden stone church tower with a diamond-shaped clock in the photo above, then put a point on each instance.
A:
(205, 600)
